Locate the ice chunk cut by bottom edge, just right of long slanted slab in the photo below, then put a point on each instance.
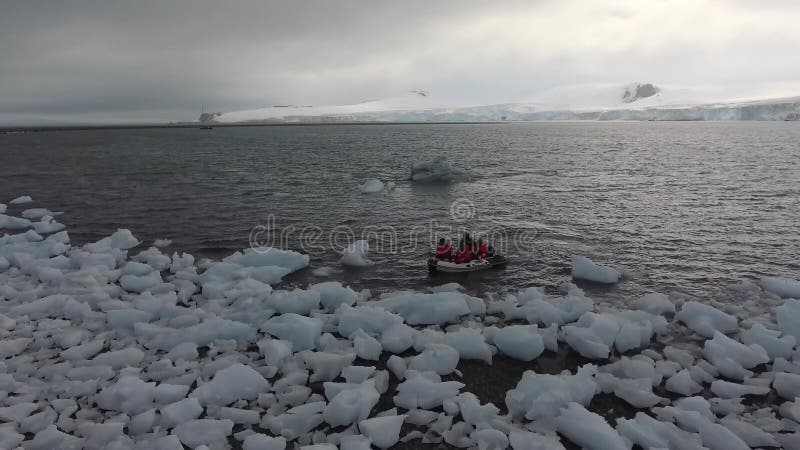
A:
(648, 432)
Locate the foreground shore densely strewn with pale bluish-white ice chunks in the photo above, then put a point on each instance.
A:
(108, 345)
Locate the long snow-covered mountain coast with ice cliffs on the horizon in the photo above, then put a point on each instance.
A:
(634, 101)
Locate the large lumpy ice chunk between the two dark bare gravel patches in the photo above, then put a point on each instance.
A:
(542, 395)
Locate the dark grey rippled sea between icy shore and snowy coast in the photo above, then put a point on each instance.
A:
(689, 206)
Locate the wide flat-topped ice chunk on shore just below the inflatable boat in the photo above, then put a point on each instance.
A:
(427, 309)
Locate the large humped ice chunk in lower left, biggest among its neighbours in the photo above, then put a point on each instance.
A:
(230, 384)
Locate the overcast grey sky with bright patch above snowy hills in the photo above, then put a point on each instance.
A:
(120, 61)
